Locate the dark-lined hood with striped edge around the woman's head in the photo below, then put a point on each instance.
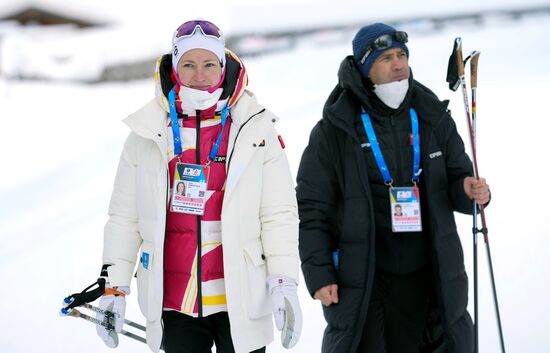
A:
(234, 84)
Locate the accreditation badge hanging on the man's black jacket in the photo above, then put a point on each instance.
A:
(405, 209)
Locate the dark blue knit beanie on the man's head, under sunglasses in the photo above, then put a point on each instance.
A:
(364, 39)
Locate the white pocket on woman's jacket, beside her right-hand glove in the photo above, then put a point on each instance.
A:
(255, 289)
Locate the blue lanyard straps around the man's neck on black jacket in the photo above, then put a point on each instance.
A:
(377, 152)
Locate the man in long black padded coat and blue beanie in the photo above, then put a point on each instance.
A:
(387, 283)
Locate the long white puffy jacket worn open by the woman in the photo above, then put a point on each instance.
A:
(259, 219)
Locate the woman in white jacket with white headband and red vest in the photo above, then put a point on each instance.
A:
(215, 262)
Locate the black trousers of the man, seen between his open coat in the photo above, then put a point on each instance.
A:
(397, 312)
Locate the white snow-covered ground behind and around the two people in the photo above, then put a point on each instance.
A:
(60, 144)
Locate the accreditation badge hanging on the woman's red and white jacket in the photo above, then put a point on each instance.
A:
(189, 188)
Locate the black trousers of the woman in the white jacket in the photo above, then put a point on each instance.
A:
(186, 334)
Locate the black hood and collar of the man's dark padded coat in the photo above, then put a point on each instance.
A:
(351, 93)
